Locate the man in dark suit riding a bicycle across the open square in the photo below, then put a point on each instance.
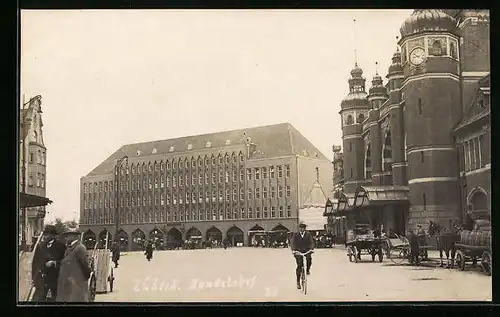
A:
(302, 242)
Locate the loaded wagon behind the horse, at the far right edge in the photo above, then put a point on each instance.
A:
(474, 246)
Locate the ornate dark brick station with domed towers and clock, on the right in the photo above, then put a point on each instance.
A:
(418, 147)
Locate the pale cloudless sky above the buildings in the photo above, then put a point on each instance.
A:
(113, 77)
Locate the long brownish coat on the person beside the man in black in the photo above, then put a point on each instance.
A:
(73, 285)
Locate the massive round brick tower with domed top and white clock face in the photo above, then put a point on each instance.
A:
(432, 108)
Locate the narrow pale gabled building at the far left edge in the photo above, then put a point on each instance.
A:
(33, 159)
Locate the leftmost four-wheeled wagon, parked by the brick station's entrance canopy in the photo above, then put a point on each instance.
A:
(363, 241)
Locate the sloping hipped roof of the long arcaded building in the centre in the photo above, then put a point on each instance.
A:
(270, 141)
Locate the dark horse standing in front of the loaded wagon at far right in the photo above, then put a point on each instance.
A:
(446, 240)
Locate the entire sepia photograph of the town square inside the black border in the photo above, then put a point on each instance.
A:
(254, 156)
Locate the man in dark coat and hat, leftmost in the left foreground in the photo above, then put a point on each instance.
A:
(46, 263)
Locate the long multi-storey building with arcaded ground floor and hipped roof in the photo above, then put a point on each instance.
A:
(212, 185)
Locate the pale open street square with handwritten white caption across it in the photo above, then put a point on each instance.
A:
(260, 275)
